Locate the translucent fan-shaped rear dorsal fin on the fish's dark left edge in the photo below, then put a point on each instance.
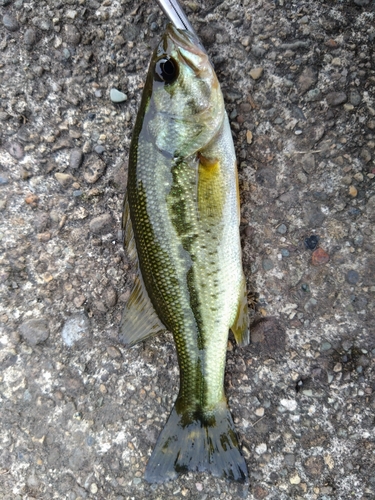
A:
(139, 320)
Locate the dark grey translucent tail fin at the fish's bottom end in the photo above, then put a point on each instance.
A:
(205, 444)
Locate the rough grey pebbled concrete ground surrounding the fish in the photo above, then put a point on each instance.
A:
(79, 413)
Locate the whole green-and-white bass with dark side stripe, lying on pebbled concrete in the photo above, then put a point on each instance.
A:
(181, 231)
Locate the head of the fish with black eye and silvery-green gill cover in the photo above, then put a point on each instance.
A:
(185, 96)
